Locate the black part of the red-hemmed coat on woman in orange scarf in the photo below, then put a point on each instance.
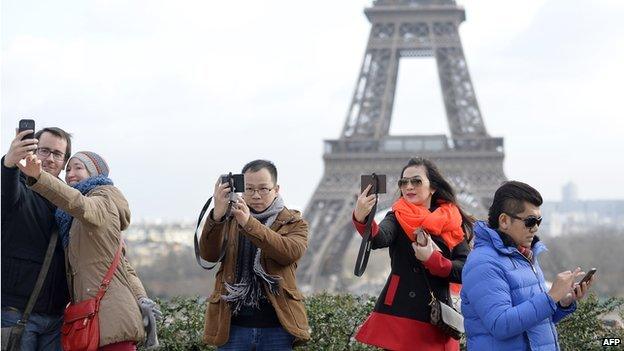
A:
(409, 296)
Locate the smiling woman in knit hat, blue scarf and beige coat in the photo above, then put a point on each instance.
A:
(91, 215)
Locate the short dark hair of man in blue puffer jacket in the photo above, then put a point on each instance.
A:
(510, 198)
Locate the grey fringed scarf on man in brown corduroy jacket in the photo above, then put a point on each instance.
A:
(247, 291)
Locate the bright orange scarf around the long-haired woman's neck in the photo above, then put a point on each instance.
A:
(444, 222)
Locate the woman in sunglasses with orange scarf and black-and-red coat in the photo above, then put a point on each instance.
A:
(427, 209)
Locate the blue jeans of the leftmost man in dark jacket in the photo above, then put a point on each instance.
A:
(42, 332)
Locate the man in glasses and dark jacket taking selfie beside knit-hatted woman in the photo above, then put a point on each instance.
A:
(27, 226)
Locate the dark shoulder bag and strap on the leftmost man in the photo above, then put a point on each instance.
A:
(12, 336)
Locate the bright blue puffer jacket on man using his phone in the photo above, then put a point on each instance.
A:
(504, 299)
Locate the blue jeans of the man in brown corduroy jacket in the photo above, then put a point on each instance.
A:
(258, 339)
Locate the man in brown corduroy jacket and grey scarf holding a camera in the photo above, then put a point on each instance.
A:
(255, 301)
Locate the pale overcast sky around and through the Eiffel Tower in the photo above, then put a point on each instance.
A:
(174, 93)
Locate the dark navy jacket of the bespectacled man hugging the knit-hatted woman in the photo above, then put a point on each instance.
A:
(27, 224)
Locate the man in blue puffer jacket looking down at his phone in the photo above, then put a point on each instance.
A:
(505, 303)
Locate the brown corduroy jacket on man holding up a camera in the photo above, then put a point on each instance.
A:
(282, 246)
